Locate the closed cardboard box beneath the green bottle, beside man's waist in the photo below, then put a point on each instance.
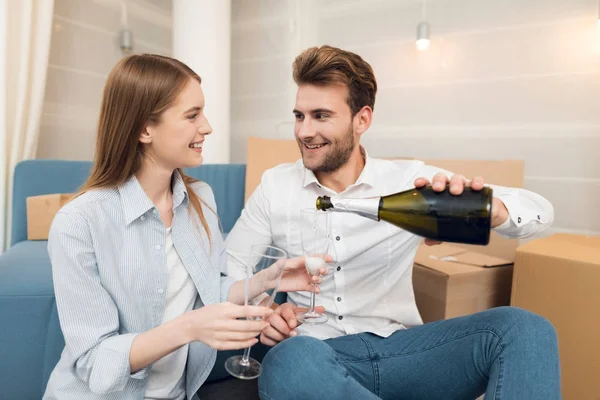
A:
(450, 281)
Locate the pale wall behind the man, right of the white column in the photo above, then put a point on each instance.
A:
(516, 79)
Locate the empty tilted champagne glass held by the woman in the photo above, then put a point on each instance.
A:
(263, 274)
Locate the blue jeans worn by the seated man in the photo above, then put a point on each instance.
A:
(506, 352)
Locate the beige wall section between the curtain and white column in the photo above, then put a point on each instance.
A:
(84, 49)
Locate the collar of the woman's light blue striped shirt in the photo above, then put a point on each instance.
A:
(136, 202)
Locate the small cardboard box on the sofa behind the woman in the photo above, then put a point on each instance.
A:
(41, 211)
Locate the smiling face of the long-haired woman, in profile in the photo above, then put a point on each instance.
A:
(175, 141)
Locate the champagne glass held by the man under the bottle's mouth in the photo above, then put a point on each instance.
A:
(316, 238)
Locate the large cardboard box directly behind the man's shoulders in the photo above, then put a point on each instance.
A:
(267, 153)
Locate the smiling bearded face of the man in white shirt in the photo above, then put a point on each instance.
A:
(324, 127)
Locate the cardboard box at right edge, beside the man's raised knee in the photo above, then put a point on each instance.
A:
(558, 277)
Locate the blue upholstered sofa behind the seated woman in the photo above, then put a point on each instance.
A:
(30, 337)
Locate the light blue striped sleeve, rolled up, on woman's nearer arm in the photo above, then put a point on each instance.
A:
(89, 318)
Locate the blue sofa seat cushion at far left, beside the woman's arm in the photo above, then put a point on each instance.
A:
(31, 340)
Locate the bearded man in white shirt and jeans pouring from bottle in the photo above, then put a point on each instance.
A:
(375, 344)
